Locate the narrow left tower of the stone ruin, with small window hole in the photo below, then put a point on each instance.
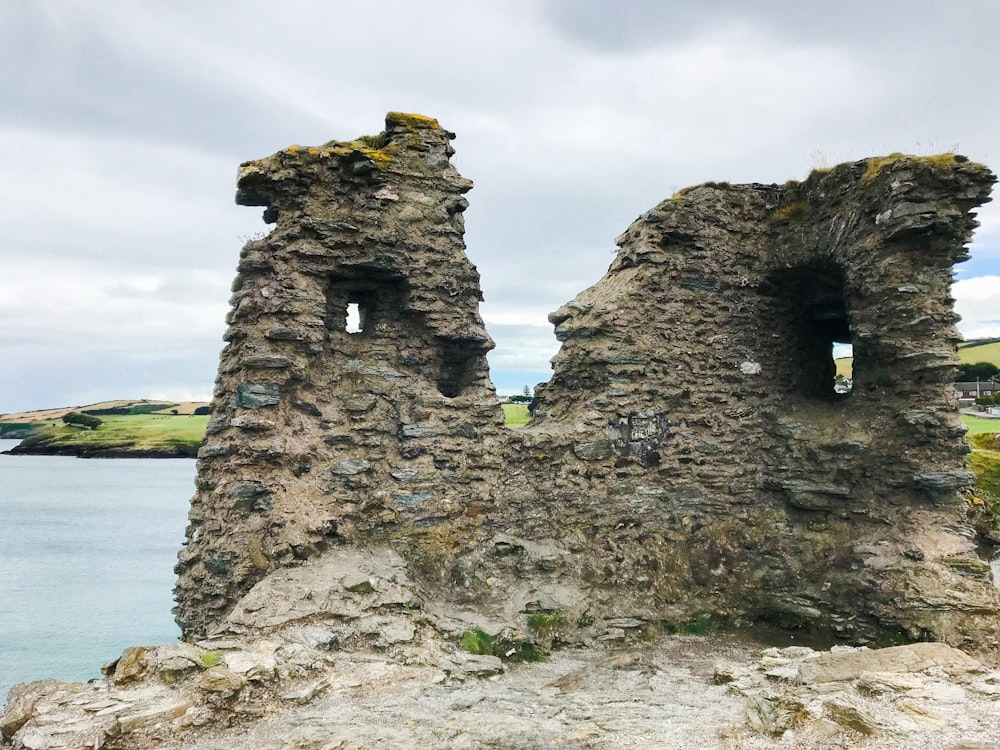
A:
(320, 436)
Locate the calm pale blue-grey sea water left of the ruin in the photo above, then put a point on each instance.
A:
(87, 548)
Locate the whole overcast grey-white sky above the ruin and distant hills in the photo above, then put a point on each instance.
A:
(122, 125)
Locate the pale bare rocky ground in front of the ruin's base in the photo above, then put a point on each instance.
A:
(677, 692)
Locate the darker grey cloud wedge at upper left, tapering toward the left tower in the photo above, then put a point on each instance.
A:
(68, 73)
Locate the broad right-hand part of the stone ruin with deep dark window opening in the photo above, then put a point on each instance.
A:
(701, 366)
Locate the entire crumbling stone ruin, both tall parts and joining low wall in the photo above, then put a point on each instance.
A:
(636, 496)
